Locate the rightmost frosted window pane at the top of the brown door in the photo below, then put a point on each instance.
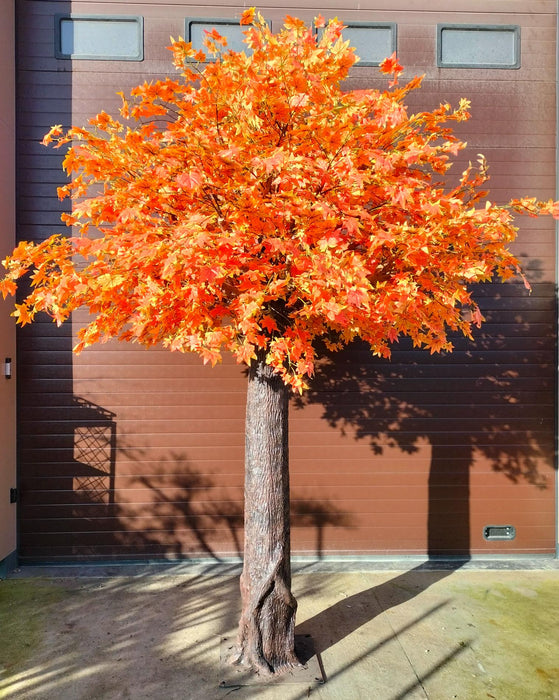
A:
(479, 47)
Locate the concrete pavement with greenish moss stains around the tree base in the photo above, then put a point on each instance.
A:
(415, 633)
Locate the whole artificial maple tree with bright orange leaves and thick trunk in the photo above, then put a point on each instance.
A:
(254, 206)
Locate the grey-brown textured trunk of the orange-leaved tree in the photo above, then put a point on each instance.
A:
(267, 627)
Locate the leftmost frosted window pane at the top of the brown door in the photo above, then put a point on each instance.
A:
(101, 38)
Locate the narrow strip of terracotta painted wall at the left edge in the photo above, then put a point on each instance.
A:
(7, 237)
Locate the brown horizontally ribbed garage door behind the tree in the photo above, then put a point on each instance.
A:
(128, 453)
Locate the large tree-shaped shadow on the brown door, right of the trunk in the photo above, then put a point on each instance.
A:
(490, 400)
